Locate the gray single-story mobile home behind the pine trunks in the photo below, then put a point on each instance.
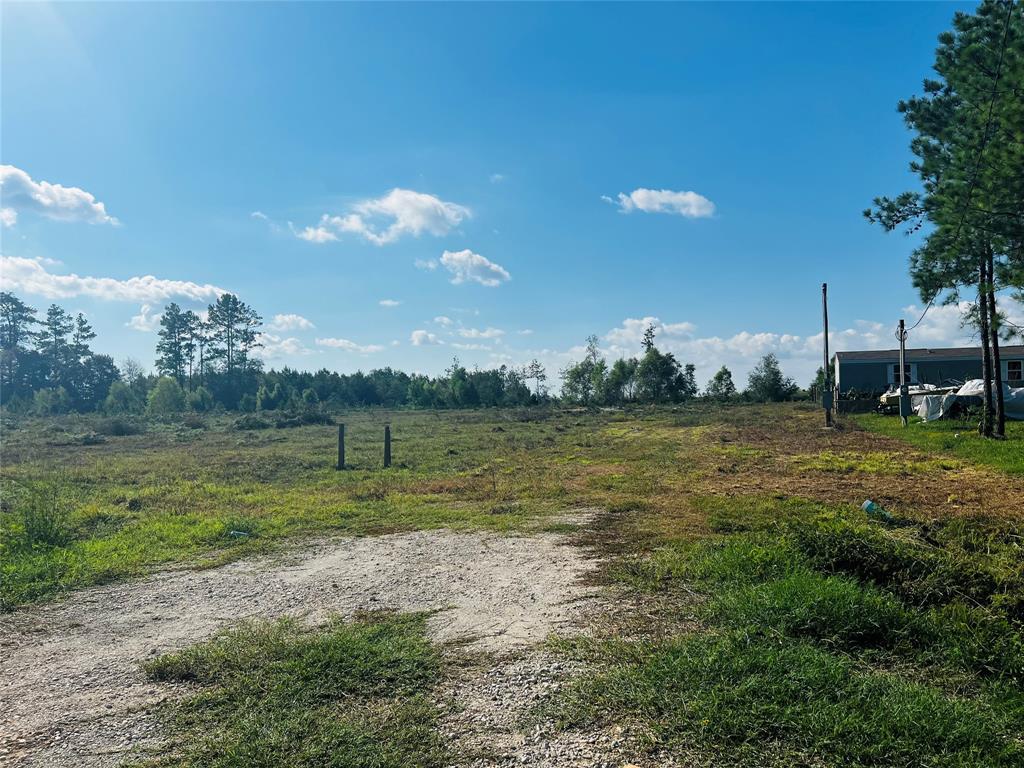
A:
(877, 371)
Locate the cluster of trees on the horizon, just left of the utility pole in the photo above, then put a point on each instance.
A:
(658, 377)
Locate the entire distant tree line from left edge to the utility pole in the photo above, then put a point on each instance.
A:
(206, 362)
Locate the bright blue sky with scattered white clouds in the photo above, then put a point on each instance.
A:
(394, 185)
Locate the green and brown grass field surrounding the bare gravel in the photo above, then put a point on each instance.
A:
(782, 627)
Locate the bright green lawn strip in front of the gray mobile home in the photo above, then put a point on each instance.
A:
(955, 439)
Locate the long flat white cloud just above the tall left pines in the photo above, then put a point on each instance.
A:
(32, 277)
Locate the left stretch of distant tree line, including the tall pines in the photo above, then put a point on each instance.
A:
(208, 361)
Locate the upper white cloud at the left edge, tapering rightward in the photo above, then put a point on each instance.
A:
(20, 192)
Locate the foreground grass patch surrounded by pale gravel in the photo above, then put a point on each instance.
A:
(352, 695)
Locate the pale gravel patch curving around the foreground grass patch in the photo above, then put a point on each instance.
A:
(71, 685)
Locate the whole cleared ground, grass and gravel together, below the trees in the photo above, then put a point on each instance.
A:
(713, 594)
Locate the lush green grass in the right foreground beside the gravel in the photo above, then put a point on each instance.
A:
(827, 641)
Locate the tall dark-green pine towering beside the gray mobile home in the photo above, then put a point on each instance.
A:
(970, 160)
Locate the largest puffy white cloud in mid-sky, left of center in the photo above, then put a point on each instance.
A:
(387, 220)
